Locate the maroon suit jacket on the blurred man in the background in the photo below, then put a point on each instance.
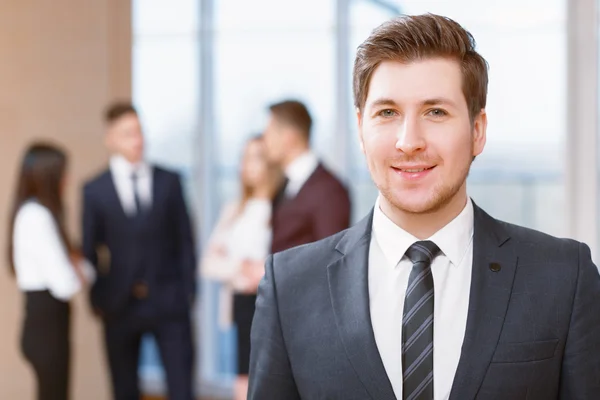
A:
(320, 209)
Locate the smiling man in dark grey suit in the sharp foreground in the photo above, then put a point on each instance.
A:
(352, 317)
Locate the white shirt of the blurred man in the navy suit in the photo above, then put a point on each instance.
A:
(122, 173)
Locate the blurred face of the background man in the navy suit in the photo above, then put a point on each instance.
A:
(124, 137)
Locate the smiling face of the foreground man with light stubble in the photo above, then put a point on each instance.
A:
(416, 133)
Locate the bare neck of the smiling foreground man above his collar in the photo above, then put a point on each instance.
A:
(424, 225)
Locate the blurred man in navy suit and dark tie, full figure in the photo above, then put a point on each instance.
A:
(137, 232)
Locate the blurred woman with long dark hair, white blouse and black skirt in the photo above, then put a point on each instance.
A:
(48, 268)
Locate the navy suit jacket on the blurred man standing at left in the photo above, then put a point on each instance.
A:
(157, 249)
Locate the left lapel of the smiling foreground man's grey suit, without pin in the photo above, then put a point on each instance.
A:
(349, 291)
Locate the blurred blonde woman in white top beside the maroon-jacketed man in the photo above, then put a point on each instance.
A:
(238, 247)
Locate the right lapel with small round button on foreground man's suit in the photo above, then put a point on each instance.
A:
(494, 266)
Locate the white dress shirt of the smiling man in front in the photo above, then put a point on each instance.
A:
(389, 271)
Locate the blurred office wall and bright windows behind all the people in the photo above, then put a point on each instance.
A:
(202, 73)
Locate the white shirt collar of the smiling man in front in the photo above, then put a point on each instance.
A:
(453, 239)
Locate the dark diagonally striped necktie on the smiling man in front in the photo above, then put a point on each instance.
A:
(417, 324)
